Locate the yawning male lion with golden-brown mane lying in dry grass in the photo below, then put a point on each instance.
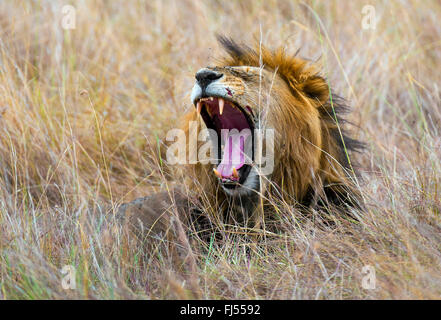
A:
(260, 89)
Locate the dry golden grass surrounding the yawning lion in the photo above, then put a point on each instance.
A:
(84, 111)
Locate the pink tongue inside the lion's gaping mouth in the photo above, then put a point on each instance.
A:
(233, 154)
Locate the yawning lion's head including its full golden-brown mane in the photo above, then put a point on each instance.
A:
(288, 96)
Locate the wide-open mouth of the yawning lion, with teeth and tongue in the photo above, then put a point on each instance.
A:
(234, 129)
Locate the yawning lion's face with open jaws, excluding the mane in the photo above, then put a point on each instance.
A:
(234, 101)
